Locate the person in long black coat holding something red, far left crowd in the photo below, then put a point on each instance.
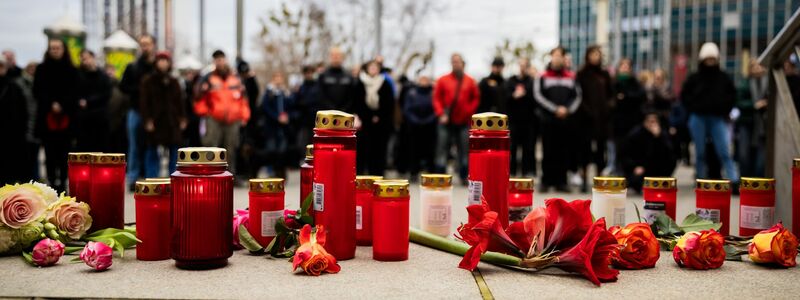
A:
(55, 87)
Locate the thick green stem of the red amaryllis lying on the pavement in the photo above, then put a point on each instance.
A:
(458, 248)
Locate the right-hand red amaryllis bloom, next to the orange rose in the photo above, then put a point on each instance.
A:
(591, 256)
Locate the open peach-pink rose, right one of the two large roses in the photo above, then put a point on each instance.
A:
(70, 216)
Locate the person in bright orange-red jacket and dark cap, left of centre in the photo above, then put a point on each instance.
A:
(223, 101)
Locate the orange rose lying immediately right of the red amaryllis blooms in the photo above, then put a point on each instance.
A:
(640, 246)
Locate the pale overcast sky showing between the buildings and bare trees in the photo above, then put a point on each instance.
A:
(471, 27)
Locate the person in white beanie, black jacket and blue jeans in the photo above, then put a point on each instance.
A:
(709, 96)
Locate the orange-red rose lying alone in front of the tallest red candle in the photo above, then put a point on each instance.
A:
(311, 255)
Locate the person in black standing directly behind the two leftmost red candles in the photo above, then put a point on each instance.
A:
(92, 113)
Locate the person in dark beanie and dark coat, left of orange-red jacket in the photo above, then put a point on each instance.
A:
(163, 115)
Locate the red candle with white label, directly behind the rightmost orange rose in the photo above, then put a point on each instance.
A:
(756, 205)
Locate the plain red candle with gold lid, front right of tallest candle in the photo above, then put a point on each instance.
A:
(390, 222)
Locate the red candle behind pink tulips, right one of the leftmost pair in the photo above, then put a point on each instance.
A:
(107, 191)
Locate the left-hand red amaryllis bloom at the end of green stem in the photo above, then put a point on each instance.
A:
(484, 232)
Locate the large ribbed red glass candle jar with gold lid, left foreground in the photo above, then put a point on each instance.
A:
(202, 209)
